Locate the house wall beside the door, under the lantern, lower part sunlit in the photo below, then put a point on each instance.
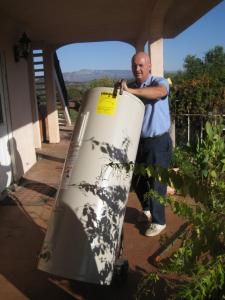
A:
(17, 79)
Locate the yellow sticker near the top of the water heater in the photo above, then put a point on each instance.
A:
(106, 104)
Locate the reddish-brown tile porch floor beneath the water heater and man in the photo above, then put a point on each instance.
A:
(23, 222)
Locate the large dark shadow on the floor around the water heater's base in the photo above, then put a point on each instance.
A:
(21, 240)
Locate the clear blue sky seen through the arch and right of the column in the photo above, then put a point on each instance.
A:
(200, 37)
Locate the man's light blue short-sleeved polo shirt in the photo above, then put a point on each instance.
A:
(157, 114)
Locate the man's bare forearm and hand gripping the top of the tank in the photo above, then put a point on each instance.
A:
(150, 93)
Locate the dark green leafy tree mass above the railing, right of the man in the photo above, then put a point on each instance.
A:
(200, 88)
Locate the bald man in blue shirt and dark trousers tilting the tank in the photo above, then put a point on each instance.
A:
(155, 146)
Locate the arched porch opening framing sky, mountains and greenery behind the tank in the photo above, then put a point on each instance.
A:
(86, 65)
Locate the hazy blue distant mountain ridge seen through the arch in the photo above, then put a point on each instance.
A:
(88, 75)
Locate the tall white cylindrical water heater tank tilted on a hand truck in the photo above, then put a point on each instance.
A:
(85, 226)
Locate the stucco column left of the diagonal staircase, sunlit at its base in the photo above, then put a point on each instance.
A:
(52, 113)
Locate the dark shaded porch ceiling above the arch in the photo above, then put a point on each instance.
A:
(60, 22)
